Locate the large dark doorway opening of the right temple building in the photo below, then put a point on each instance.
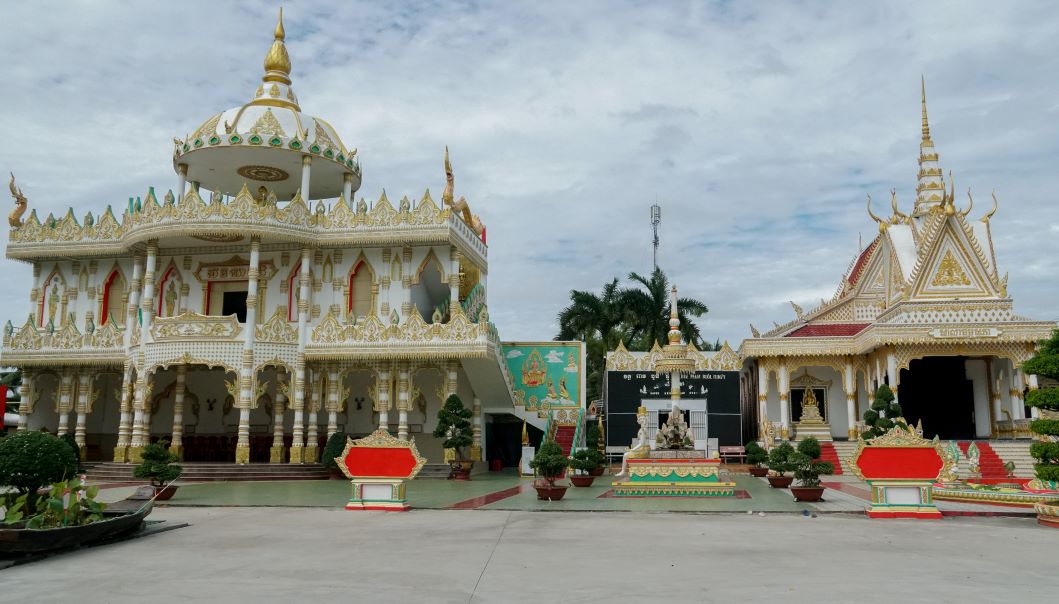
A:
(937, 392)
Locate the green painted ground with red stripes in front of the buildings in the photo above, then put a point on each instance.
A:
(437, 493)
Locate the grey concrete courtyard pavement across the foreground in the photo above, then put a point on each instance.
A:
(282, 555)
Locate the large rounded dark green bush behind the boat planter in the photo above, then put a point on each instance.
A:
(32, 460)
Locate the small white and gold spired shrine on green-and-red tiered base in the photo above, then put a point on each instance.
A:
(674, 467)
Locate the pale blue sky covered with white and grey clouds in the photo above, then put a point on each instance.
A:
(759, 127)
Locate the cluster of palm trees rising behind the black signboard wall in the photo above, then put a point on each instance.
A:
(639, 316)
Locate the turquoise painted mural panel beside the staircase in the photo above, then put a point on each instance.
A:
(547, 376)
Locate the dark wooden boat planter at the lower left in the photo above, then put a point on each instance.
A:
(16, 542)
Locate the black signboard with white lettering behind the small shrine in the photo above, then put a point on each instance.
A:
(626, 389)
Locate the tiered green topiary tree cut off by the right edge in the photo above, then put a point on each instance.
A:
(1046, 364)
